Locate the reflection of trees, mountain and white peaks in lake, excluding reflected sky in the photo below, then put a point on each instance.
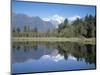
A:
(24, 51)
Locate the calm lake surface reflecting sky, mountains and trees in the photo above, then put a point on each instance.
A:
(42, 57)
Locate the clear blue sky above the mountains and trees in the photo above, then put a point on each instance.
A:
(49, 10)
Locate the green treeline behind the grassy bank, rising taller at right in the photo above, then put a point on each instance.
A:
(81, 27)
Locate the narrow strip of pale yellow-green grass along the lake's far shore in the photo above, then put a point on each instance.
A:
(54, 39)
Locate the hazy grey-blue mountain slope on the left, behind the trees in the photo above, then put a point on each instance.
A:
(21, 20)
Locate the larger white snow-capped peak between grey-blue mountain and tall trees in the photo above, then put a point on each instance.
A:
(55, 19)
